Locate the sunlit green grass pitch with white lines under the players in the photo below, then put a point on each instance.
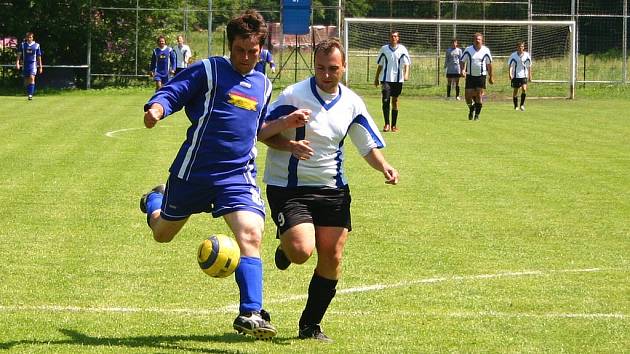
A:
(510, 234)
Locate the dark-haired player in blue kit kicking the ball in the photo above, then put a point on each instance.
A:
(214, 170)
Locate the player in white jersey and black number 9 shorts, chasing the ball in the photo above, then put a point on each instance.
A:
(307, 187)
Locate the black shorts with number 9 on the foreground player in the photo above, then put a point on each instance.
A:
(320, 206)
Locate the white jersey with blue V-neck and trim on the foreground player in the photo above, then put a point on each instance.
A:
(333, 118)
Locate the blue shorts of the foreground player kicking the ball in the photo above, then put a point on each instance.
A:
(182, 199)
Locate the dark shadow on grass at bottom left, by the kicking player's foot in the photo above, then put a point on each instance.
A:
(174, 342)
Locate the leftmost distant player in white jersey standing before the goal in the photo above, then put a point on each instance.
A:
(393, 62)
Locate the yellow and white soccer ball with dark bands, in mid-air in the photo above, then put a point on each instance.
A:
(218, 256)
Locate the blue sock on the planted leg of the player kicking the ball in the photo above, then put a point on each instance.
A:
(249, 279)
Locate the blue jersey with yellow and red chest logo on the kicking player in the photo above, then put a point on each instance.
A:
(226, 110)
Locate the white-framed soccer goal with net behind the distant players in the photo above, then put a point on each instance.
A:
(551, 45)
